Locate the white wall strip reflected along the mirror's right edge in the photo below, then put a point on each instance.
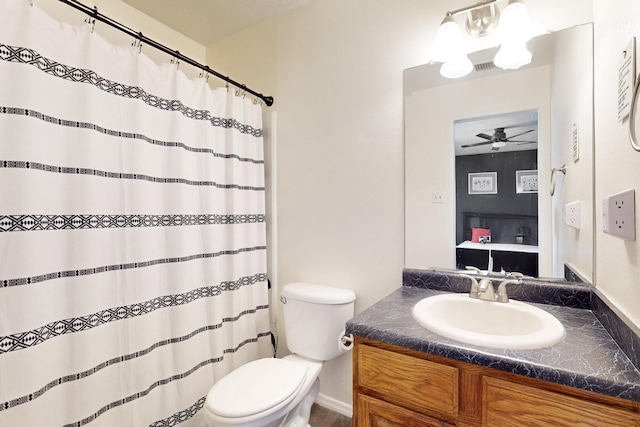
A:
(572, 102)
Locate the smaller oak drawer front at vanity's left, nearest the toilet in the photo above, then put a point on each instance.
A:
(408, 381)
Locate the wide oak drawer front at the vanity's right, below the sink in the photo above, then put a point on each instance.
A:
(515, 405)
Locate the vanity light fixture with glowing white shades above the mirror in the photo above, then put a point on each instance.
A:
(511, 29)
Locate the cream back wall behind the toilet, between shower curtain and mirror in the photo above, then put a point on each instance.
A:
(335, 70)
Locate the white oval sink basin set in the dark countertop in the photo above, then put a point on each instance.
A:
(512, 325)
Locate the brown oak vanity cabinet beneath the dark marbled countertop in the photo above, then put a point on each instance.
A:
(394, 386)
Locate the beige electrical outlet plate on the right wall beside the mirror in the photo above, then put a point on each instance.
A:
(618, 215)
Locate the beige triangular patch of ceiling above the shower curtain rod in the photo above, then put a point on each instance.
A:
(206, 21)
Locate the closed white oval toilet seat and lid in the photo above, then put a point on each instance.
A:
(256, 387)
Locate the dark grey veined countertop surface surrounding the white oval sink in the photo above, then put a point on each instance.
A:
(588, 358)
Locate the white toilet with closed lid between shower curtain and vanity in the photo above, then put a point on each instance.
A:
(274, 392)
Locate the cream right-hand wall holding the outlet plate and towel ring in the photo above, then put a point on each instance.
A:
(617, 164)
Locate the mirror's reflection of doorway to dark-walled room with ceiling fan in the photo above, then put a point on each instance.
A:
(496, 160)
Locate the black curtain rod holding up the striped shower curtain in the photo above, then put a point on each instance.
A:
(93, 12)
